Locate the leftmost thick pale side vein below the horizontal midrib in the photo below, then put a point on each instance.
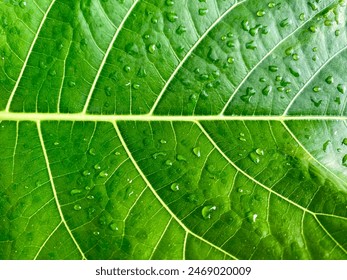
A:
(54, 190)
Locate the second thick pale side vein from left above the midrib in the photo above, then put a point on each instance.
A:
(106, 56)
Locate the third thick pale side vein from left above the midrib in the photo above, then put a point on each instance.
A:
(179, 66)
